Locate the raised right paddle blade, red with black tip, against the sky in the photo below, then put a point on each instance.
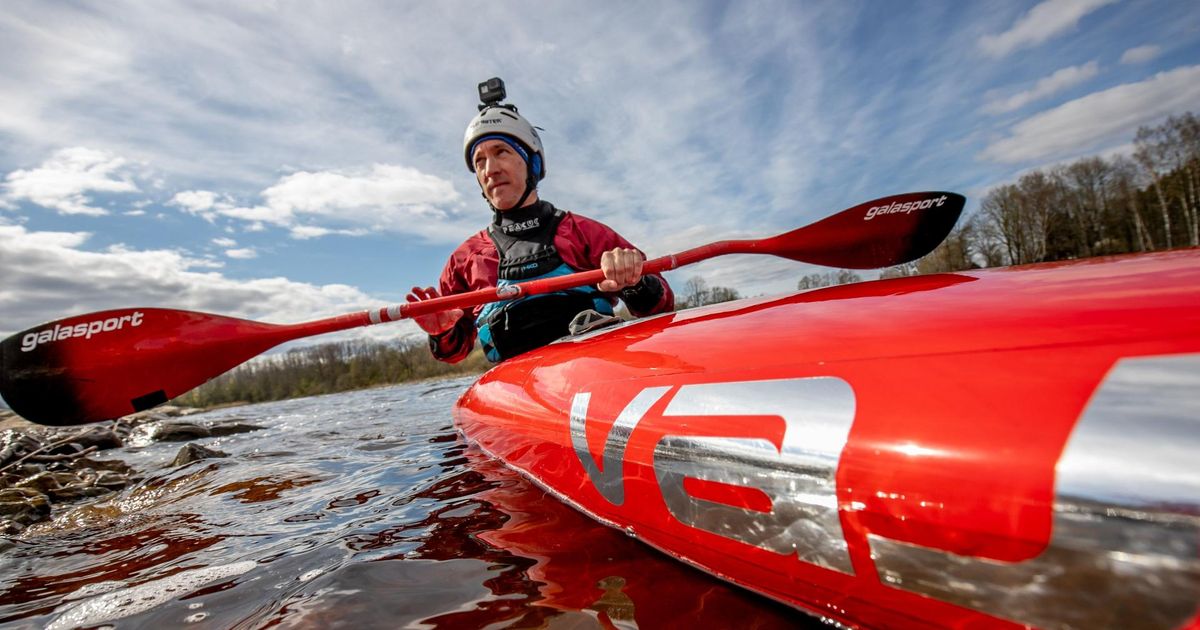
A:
(883, 233)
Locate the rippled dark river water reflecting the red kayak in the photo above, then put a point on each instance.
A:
(353, 511)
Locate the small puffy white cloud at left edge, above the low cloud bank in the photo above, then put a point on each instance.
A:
(65, 182)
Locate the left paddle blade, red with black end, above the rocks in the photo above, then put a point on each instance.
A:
(100, 367)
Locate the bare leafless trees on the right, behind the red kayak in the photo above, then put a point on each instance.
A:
(1145, 202)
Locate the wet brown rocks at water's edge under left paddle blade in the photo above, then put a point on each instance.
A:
(43, 469)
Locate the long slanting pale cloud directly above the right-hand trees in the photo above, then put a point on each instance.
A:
(1099, 121)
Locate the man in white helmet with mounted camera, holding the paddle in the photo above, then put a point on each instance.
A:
(529, 239)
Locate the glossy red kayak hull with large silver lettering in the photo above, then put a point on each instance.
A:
(998, 448)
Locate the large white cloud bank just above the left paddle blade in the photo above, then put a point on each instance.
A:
(49, 275)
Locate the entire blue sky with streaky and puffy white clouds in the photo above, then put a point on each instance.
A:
(285, 161)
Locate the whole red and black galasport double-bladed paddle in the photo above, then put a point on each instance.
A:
(105, 365)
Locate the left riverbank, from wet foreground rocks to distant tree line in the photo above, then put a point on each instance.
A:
(45, 467)
